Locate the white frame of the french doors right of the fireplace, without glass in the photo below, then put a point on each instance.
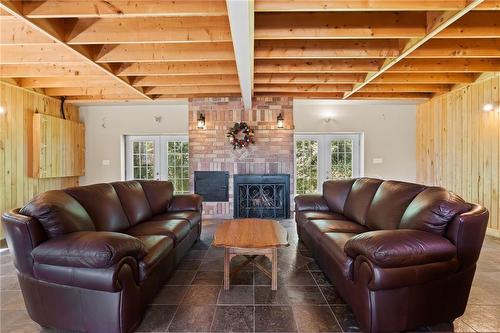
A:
(323, 153)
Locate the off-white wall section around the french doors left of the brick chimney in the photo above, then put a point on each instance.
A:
(106, 125)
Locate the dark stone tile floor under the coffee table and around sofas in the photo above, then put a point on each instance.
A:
(306, 301)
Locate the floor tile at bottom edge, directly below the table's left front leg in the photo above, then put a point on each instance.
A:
(233, 319)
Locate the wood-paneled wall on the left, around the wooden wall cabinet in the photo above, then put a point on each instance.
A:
(16, 128)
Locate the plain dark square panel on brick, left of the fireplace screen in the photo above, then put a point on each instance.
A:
(213, 186)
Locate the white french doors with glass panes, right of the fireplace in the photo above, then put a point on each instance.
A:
(319, 157)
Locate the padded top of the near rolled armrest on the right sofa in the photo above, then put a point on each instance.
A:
(400, 248)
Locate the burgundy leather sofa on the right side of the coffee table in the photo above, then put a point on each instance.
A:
(401, 255)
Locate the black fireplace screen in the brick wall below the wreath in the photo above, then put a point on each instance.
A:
(262, 196)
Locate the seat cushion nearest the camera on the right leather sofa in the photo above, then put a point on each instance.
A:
(333, 243)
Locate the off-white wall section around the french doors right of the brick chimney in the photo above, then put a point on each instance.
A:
(388, 128)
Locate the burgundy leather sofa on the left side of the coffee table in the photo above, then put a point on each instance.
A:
(91, 258)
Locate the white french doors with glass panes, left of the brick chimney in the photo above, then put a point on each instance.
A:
(160, 157)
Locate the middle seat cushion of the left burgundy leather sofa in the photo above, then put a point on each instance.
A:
(177, 229)
